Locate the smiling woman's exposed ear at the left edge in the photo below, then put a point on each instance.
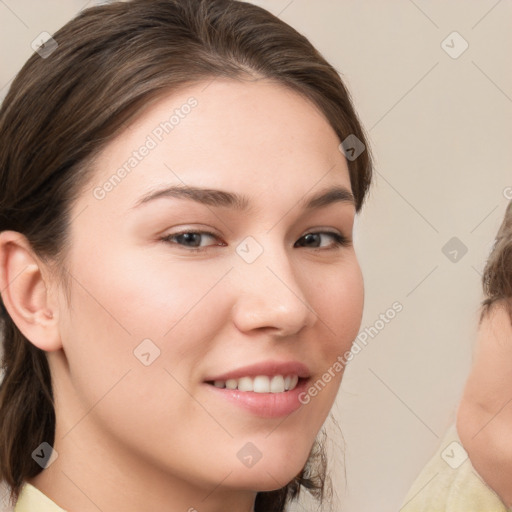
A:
(25, 293)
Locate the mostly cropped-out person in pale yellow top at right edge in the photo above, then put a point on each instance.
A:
(472, 470)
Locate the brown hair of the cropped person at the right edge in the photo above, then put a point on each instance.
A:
(497, 275)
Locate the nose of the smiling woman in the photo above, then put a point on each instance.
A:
(270, 295)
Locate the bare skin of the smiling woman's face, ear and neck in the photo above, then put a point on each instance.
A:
(132, 437)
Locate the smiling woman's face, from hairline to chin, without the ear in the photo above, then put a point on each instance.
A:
(261, 289)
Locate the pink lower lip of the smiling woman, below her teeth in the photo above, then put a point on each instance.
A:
(266, 405)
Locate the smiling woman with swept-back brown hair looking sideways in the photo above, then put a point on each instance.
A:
(179, 185)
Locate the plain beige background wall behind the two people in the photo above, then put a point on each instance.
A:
(440, 130)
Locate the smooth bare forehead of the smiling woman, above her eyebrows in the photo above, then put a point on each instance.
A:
(254, 137)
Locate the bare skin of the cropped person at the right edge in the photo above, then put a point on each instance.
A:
(485, 412)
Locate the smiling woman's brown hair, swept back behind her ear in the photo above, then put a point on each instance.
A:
(61, 110)
